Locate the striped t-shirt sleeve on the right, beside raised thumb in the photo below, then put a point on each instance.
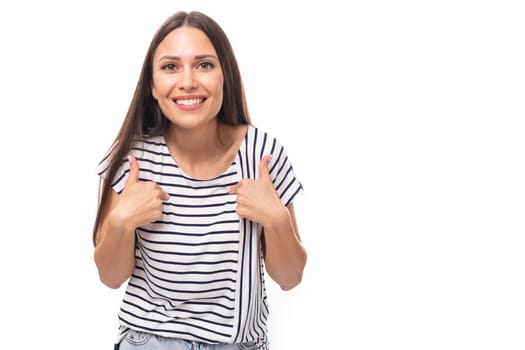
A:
(284, 178)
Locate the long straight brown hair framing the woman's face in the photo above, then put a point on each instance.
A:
(144, 117)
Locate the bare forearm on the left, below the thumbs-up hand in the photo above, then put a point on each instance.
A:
(115, 254)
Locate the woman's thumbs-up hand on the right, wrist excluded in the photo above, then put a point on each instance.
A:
(257, 199)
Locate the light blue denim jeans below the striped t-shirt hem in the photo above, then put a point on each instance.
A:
(144, 341)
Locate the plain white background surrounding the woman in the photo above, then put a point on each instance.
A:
(404, 120)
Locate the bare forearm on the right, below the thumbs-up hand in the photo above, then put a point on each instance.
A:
(285, 256)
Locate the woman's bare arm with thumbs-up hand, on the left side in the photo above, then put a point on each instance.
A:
(138, 204)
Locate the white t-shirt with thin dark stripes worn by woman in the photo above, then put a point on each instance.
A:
(199, 271)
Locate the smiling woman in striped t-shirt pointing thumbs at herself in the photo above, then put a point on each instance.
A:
(195, 201)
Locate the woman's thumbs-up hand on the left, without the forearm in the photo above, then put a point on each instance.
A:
(141, 201)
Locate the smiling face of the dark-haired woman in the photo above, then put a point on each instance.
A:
(187, 78)
